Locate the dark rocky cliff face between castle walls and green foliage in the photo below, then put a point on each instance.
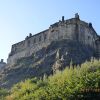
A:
(47, 60)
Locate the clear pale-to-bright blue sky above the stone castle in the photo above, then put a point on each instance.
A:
(18, 18)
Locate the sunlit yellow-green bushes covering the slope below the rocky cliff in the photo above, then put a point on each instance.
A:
(76, 83)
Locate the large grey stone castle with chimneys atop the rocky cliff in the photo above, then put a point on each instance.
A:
(71, 29)
